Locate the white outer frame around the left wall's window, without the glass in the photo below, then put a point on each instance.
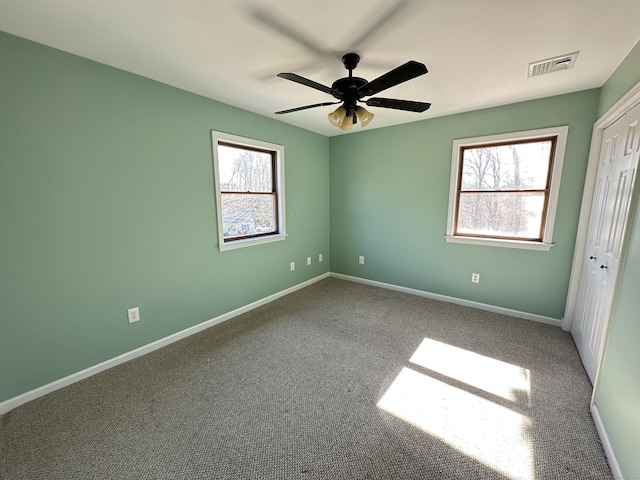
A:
(281, 234)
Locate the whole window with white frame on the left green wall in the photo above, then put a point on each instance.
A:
(249, 181)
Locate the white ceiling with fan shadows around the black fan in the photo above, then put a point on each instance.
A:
(477, 52)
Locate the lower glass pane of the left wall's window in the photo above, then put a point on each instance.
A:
(245, 214)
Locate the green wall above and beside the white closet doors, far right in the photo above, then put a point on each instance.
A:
(617, 394)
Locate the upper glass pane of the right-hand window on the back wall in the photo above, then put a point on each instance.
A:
(522, 166)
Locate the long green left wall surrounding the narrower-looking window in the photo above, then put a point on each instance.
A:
(107, 202)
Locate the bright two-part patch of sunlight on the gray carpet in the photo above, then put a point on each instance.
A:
(492, 434)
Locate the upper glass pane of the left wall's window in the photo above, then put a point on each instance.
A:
(243, 170)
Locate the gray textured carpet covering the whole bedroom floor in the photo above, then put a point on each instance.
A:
(335, 381)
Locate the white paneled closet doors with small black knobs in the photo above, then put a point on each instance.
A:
(609, 212)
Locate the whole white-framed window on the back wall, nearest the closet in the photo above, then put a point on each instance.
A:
(504, 189)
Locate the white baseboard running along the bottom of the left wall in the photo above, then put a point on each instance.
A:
(14, 402)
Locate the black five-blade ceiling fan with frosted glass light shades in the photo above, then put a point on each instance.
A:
(351, 90)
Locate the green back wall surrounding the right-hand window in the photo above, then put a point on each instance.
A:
(389, 200)
